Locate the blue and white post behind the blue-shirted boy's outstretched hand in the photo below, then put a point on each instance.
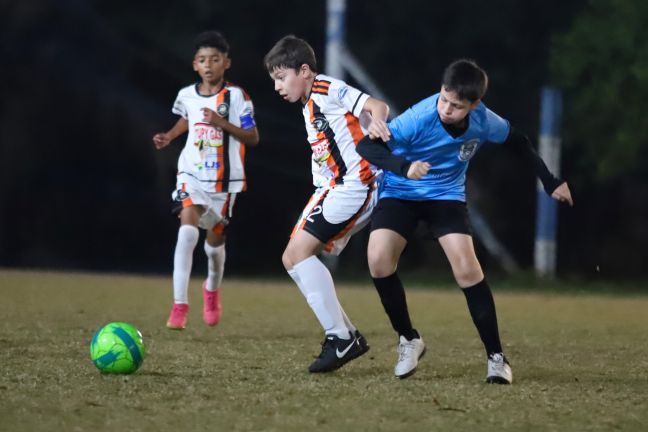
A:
(547, 208)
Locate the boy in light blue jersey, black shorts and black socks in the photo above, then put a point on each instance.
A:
(425, 161)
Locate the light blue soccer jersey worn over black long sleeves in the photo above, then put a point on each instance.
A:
(418, 134)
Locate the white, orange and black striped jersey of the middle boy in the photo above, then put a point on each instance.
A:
(333, 127)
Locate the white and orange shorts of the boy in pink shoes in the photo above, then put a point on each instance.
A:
(218, 206)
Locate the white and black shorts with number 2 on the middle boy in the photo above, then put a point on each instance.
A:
(333, 215)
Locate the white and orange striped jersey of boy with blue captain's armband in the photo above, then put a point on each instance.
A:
(211, 157)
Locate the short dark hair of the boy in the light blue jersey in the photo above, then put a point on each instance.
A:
(465, 78)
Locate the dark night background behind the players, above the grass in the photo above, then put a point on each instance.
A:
(86, 84)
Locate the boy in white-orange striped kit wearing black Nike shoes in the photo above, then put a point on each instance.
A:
(345, 187)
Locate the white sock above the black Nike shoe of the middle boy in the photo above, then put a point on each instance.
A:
(315, 282)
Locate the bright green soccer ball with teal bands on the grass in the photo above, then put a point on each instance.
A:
(117, 348)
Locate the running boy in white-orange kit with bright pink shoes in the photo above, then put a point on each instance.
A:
(219, 119)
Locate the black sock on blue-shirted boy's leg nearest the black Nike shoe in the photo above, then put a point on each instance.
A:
(392, 295)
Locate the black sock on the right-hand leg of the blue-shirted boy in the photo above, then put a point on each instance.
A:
(482, 310)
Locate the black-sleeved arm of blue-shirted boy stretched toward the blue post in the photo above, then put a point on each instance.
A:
(557, 188)
